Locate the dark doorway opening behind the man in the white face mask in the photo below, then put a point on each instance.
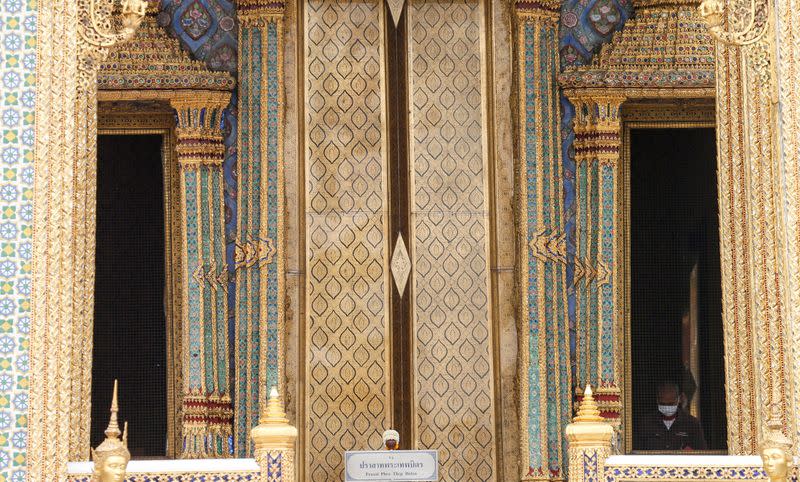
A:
(675, 297)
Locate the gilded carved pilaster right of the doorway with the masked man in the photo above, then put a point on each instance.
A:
(753, 298)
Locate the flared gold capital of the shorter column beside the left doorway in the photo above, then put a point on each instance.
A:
(199, 133)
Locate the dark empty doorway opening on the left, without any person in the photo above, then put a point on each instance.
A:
(129, 319)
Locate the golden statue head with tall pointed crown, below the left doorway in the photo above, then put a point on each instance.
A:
(111, 457)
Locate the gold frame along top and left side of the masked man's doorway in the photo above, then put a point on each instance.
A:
(674, 114)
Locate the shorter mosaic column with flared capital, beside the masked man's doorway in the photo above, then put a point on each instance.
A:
(599, 356)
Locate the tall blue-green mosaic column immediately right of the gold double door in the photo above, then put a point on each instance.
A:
(545, 376)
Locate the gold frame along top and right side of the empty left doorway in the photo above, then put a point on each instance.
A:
(123, 119)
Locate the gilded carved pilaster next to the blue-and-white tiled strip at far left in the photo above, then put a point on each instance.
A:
(49, 424)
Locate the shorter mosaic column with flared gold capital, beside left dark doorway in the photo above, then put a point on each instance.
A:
(206, 402)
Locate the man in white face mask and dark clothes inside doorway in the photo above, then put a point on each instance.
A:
(670, 428)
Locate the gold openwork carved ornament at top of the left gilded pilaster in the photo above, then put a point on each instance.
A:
(103, 24)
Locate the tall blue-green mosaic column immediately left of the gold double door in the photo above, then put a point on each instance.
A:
(259, 244)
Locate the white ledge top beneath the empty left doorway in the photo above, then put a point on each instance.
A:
(174, 466)
